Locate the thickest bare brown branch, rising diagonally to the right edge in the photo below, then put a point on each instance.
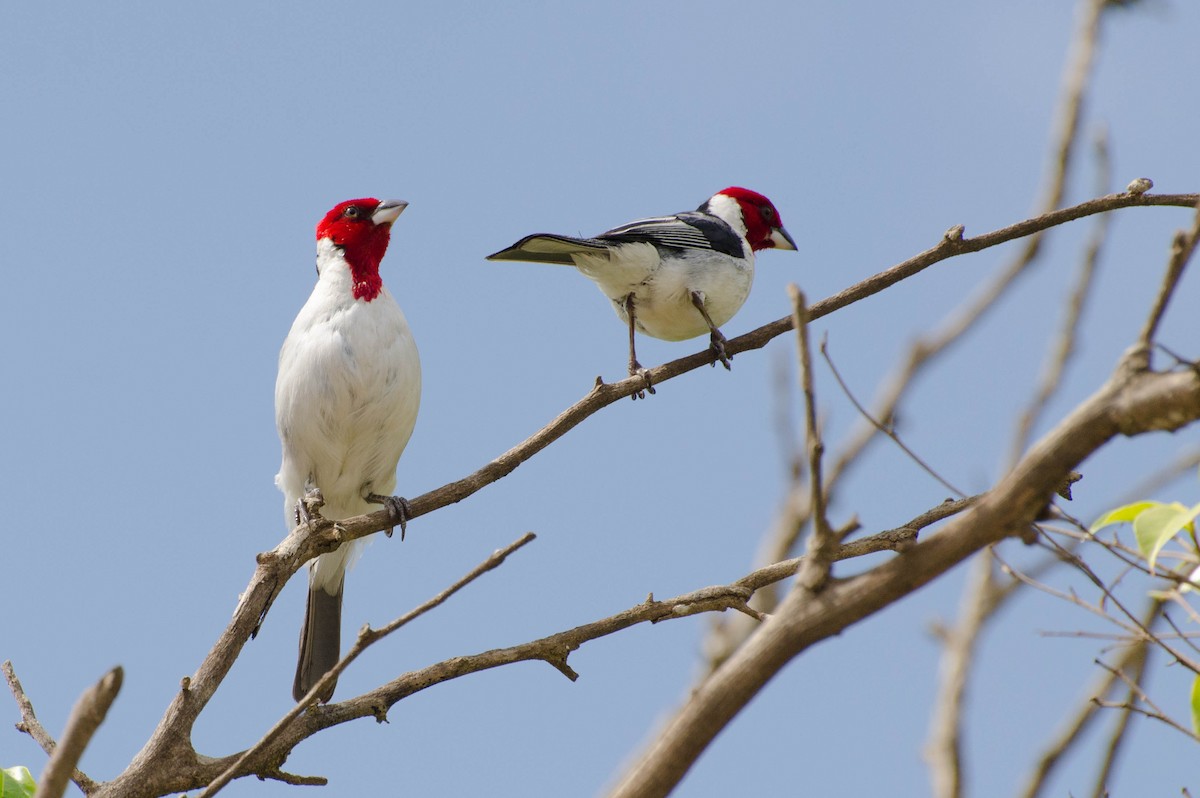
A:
(1132, 401)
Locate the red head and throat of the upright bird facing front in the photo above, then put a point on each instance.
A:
(362, 229)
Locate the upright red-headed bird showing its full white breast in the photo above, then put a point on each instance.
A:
(346, 403)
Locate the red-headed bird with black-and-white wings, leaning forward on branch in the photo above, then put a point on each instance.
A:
(671, 278)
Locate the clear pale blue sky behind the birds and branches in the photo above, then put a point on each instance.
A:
(164, 166)
